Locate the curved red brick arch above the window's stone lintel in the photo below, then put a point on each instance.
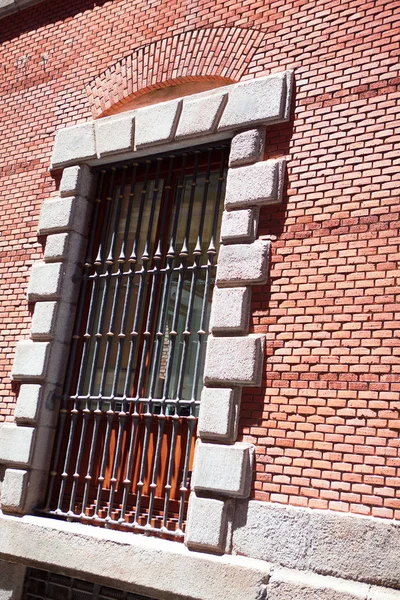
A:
(221, 53)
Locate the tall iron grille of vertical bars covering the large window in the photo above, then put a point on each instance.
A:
(128, 416)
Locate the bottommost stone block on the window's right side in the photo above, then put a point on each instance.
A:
(207, 524)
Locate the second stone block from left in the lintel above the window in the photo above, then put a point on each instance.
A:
(114, 135)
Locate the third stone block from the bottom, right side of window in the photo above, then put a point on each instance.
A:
(219, 411)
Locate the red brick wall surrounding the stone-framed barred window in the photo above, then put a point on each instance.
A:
(326, 426)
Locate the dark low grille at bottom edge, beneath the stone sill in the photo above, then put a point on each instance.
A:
(43, 585)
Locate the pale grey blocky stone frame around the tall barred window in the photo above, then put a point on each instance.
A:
(239, 111)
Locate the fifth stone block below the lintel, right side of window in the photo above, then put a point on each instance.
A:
(230, 310)
